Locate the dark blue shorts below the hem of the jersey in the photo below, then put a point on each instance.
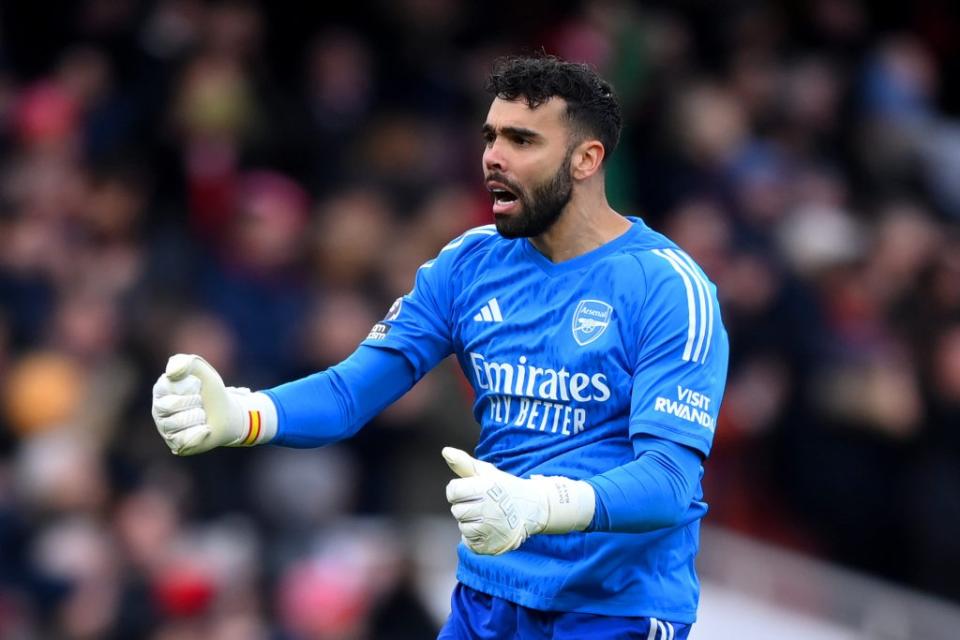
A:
(478, 616)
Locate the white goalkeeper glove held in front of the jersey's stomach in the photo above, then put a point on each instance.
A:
(497, 511)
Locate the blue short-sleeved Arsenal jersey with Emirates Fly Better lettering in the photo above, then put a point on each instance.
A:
(569, 361)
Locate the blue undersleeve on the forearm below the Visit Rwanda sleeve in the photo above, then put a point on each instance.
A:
(651, 492)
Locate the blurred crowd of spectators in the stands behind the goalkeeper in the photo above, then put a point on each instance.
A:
(257, 183)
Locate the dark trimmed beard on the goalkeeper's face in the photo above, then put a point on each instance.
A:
(541, 208)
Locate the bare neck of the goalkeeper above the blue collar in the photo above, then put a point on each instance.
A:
(580, 229)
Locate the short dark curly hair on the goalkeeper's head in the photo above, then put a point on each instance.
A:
(592, 106)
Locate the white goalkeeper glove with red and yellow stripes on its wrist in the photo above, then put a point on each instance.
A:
(194, 411)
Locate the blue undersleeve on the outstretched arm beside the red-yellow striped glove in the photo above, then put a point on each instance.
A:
(330, 406)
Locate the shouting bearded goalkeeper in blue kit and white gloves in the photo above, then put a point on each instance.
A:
(598, 358)
